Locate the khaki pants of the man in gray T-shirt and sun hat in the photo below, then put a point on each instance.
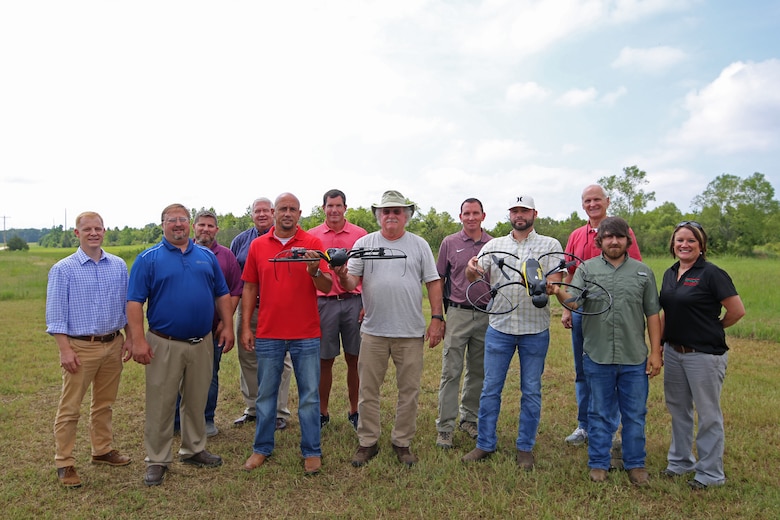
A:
(407, 354)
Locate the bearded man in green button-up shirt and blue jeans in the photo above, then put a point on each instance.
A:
(615, 358)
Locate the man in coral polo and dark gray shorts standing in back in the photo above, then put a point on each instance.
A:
(340, 310)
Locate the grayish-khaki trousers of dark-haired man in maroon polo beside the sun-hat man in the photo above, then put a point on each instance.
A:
(464, 340)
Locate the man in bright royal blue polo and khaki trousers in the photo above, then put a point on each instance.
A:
(180, 281)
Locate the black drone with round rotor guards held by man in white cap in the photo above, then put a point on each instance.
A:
(590, 300)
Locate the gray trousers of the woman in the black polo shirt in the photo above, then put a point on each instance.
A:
(695, 379)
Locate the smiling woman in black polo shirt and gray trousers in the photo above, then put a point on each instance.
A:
(693, 294)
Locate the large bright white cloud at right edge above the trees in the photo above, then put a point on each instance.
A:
(738, 111)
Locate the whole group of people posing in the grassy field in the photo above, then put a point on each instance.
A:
(296, 317)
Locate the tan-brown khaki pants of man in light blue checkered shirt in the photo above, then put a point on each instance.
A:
(101, 366)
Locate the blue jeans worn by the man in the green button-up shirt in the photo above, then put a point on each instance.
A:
(627, 387)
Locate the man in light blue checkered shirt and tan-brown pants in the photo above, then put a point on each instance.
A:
(85, 311)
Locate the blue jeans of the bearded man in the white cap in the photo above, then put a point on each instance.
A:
(499, 351)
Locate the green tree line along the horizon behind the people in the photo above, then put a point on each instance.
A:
(740, 216)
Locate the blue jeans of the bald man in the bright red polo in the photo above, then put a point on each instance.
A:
(305, 354)
